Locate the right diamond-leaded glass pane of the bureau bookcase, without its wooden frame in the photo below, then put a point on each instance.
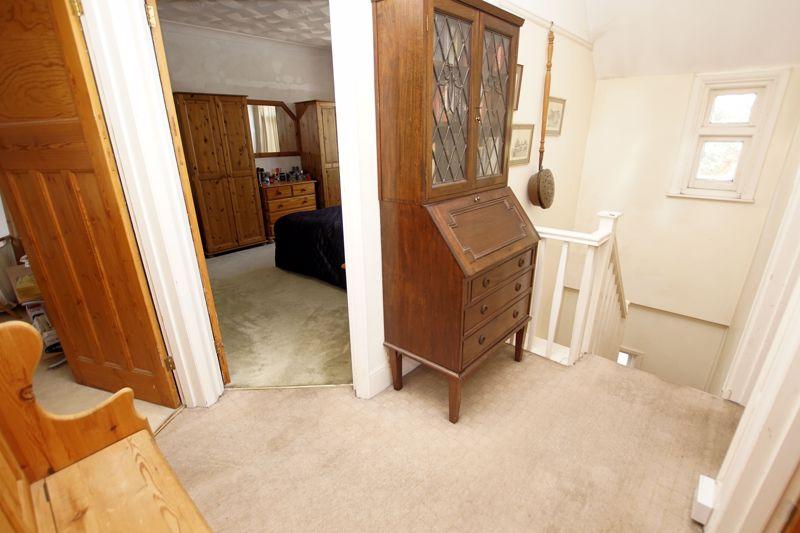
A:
(494, 84)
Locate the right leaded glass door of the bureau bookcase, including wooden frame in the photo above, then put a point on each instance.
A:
(498, 42)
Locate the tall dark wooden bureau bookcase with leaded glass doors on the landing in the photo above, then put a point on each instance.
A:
(458, 248)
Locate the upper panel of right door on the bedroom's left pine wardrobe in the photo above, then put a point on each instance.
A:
(235, 125)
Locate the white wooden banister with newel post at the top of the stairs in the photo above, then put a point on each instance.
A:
(601, 308)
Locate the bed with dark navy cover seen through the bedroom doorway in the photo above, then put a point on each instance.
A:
(312, 243)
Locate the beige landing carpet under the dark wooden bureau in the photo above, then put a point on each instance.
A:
(540, 447)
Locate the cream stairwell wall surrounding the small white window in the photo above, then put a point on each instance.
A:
(684, 261)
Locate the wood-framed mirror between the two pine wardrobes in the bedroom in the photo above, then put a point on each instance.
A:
(273, 128)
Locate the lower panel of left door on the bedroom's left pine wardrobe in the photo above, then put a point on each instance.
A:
(218, 219)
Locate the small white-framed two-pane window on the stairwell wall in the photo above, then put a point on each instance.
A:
(728, 128)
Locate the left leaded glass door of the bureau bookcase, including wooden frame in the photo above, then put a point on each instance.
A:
(453, 38)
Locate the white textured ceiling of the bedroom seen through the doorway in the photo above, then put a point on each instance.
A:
(298, 21)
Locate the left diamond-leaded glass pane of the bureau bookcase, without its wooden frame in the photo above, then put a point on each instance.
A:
(451, 66)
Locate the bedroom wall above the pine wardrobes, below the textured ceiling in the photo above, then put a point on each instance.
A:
(212, 61)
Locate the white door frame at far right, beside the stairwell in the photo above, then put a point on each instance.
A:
(765, 450)
